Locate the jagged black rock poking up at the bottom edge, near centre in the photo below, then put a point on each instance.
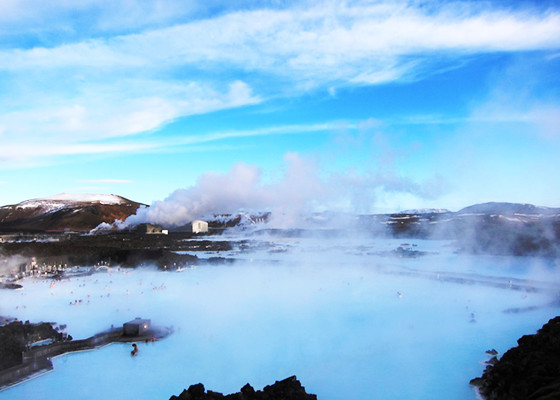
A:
(287, 389)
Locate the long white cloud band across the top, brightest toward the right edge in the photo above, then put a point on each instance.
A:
(305, 39)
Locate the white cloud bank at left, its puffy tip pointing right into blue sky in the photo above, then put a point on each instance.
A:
(103, 112)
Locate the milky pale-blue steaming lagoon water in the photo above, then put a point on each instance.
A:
(350, 318)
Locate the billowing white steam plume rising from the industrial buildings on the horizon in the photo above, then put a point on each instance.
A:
(300, 190)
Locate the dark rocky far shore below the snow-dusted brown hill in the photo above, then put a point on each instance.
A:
(58, 255)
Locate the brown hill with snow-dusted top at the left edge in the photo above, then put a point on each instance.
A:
(76, 212)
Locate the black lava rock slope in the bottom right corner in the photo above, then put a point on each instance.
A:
(530, 371)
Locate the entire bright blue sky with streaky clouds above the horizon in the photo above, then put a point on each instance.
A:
(366, 106)
